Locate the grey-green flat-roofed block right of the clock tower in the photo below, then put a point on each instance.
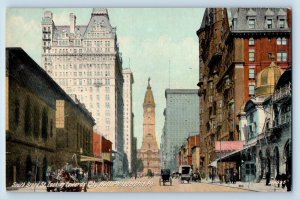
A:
(181, 121)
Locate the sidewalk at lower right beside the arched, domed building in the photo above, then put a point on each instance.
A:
(251, 186)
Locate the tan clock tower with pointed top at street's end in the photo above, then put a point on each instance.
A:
(149, 152)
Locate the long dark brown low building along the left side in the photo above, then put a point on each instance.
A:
(46, 128)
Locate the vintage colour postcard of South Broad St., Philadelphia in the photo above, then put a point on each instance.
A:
(148, 100)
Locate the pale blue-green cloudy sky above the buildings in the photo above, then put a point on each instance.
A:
(161, 43)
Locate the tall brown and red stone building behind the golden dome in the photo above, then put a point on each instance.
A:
(234, 45)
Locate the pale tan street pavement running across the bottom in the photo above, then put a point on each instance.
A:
(152, 185)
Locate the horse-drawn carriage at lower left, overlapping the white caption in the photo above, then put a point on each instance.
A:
(73, 180)
